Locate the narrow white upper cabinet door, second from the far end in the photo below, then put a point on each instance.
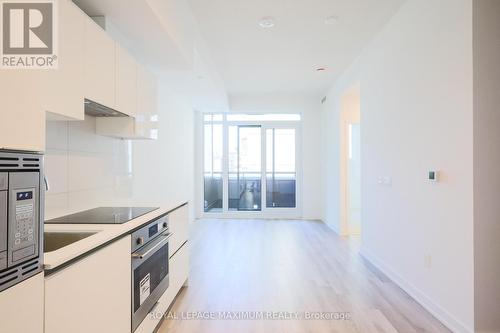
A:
(126, 81)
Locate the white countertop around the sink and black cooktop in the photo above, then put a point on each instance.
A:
(105, 233)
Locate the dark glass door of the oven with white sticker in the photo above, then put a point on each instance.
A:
(147, 275)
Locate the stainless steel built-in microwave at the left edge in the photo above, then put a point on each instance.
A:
(21, 216)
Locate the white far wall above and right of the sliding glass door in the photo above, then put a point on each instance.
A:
(309, 107)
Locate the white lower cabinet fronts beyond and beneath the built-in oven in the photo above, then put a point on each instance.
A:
(178, 276)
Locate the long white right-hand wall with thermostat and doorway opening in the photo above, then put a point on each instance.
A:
(415, 79)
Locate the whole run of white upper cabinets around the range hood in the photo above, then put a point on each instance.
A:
(90, 65)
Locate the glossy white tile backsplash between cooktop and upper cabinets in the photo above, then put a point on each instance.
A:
(85, 170)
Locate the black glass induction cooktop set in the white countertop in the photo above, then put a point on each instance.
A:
(103, 215)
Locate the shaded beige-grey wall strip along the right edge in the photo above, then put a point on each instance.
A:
(486, 165)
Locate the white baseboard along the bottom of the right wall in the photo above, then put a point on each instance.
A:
(436, 310)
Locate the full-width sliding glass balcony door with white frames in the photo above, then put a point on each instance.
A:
(252, 166)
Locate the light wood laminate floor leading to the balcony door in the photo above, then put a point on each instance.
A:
(283, 267)
